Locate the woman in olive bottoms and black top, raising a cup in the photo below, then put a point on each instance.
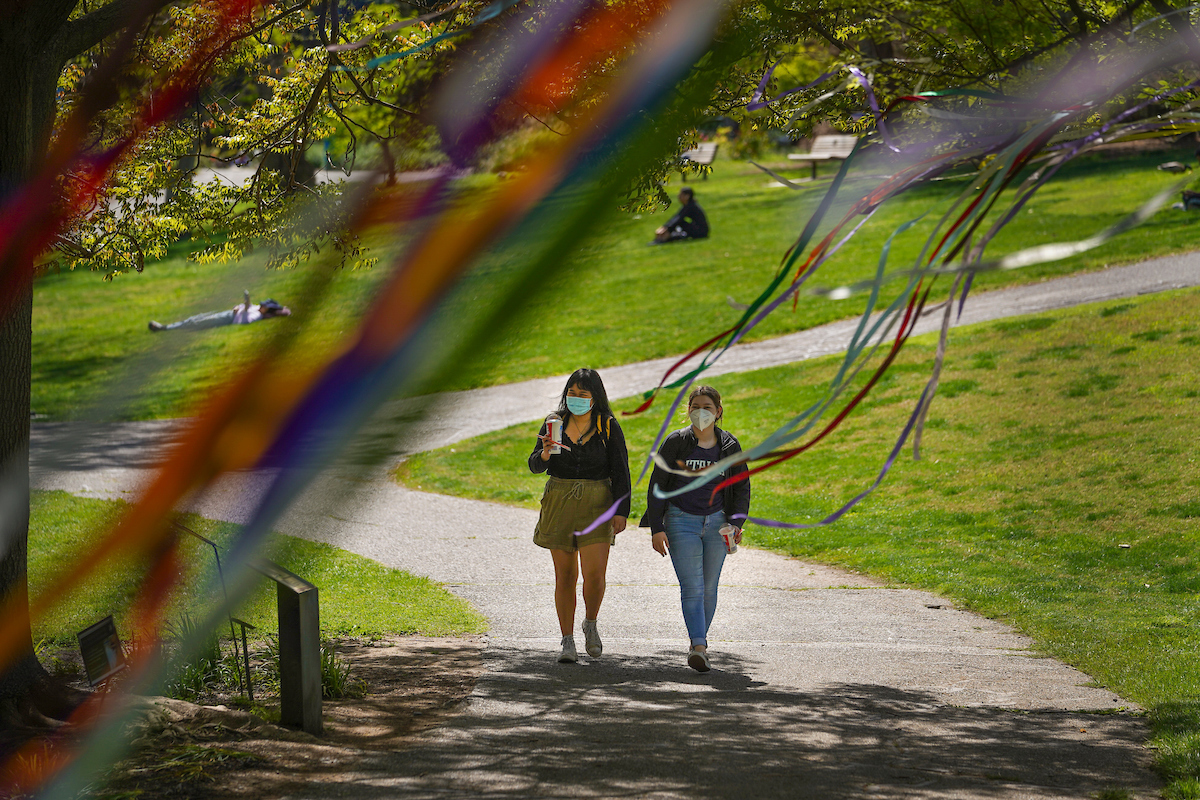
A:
(585, 480)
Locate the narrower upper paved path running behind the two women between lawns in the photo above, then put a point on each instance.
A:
(91, 461)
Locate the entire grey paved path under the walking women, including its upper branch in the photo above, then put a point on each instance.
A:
(826, 684)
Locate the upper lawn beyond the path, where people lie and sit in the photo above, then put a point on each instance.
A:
(616, 300)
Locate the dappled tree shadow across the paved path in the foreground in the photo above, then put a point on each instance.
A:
(647, 729)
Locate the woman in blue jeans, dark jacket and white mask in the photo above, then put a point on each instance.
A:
(688, 526)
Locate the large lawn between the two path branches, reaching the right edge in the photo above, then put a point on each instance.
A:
(1054, 442)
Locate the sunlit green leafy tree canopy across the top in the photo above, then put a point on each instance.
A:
(307, 94)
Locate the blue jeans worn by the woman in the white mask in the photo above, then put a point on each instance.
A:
(698, 554)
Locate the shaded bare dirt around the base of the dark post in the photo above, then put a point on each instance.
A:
(184, 751)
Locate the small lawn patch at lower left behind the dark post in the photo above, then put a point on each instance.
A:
(358, 597)
